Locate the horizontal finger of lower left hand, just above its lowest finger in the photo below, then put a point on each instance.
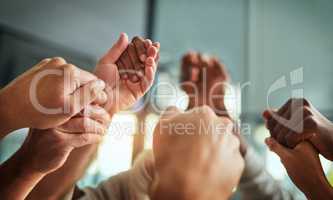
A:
(82, 125)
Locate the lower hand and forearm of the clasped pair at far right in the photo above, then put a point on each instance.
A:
(304, 168)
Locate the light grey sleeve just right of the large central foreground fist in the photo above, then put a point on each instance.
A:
(257, 184)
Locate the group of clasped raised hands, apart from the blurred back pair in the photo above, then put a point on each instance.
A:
(192, 147)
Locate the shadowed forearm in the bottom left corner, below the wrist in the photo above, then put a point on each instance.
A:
(17, 181)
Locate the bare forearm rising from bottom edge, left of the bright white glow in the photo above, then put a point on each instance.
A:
(66, 177)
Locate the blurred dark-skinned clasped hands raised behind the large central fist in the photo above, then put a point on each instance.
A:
(205, 79)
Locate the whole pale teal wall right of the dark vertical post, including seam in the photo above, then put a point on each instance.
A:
(259, 41)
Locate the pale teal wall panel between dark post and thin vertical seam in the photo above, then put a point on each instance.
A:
(217, 27)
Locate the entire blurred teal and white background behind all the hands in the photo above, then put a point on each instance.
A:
(260, 41)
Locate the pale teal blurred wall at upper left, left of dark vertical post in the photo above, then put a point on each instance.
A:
(88, 26)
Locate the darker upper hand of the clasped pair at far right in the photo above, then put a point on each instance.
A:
(303, 122)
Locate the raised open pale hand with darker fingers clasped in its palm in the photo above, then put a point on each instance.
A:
(128, 69)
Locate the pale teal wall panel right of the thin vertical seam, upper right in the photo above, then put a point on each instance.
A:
(284, 36)
